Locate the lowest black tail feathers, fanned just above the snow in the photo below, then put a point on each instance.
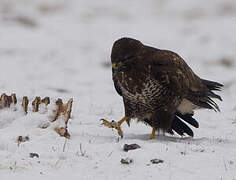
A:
(180, 127)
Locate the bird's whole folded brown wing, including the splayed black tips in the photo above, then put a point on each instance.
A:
(172, 71)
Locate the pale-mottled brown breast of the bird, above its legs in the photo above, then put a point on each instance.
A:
(141, 99)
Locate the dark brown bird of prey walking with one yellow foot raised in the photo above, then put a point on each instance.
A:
(158, 88)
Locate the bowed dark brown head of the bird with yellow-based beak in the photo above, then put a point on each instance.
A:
(123, 52)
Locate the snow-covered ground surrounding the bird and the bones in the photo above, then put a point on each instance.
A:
(61, 48)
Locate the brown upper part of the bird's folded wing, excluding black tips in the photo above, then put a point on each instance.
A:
(172, 71)
